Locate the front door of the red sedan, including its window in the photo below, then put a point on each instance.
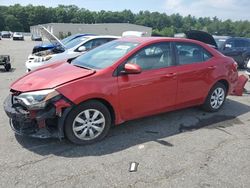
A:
(154, 89)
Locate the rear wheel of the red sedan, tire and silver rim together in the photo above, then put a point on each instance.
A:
(216, 98)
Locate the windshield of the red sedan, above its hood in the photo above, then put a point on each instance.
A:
(105, 55)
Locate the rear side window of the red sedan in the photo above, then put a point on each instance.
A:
(189, 53)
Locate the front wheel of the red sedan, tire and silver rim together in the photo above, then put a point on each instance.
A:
(87, 123)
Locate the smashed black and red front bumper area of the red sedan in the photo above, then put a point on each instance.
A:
(43, 123)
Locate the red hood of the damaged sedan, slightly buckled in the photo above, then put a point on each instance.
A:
(50, 76)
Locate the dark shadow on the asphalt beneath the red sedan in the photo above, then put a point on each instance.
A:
(140, 131)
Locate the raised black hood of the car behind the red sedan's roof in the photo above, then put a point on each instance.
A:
(201, 36)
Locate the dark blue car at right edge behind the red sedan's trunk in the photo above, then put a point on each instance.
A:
(238, 48)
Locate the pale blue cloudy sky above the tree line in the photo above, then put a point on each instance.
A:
(223, 9)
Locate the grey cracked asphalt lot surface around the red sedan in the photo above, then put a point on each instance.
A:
(186, 148)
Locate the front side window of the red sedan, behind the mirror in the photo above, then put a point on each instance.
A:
(153, 57)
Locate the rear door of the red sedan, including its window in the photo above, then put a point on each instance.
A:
(195, 71)
